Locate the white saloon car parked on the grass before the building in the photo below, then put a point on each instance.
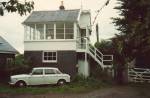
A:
(40, 76)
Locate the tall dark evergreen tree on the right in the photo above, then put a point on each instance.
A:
(134, 27)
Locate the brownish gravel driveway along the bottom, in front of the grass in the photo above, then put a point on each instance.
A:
(114, 92)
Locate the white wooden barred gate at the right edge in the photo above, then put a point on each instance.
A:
(138, 75)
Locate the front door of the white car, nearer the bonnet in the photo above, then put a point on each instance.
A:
(36, 77)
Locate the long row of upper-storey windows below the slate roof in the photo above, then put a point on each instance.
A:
(49, 31)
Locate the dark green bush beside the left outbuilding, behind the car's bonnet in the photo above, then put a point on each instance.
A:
(18, 66)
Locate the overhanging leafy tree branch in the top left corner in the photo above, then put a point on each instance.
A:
(15, 6)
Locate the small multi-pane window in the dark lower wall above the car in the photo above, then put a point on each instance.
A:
(49, 56)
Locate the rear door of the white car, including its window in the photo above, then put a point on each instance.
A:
(50, 76)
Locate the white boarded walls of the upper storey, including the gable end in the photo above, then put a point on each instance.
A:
(82, 21)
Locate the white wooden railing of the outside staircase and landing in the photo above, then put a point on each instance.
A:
(103, 60)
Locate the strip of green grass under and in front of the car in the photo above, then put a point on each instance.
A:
(74, 87)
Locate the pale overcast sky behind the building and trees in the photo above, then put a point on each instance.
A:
(12, 30)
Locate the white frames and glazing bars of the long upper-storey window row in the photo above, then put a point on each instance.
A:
(34, 36)
